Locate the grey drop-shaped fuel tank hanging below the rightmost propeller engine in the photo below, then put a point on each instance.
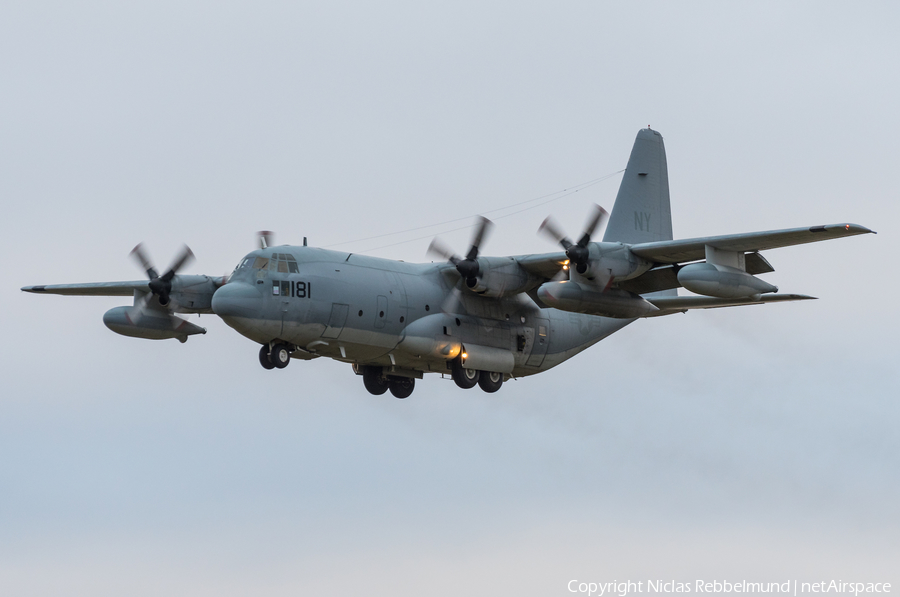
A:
(581, 298)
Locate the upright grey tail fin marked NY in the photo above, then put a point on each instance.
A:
(642, 212)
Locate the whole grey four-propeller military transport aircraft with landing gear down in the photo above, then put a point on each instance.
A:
(482, 320)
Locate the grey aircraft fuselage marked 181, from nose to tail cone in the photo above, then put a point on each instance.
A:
(366, 310)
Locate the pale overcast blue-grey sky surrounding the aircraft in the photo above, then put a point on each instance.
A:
(756, 443)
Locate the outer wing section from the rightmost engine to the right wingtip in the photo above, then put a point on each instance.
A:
(693, 249)
